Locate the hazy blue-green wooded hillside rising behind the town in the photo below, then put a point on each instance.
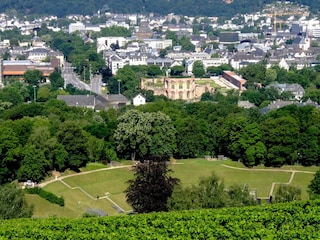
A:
(163, 7)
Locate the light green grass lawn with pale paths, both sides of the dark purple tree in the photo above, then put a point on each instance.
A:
(104, 188)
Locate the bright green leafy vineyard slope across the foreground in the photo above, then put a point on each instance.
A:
(298, 220)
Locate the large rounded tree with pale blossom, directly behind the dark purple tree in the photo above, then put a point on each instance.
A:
(145, 135)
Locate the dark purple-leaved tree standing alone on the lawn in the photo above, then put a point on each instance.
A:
(151, 188)
